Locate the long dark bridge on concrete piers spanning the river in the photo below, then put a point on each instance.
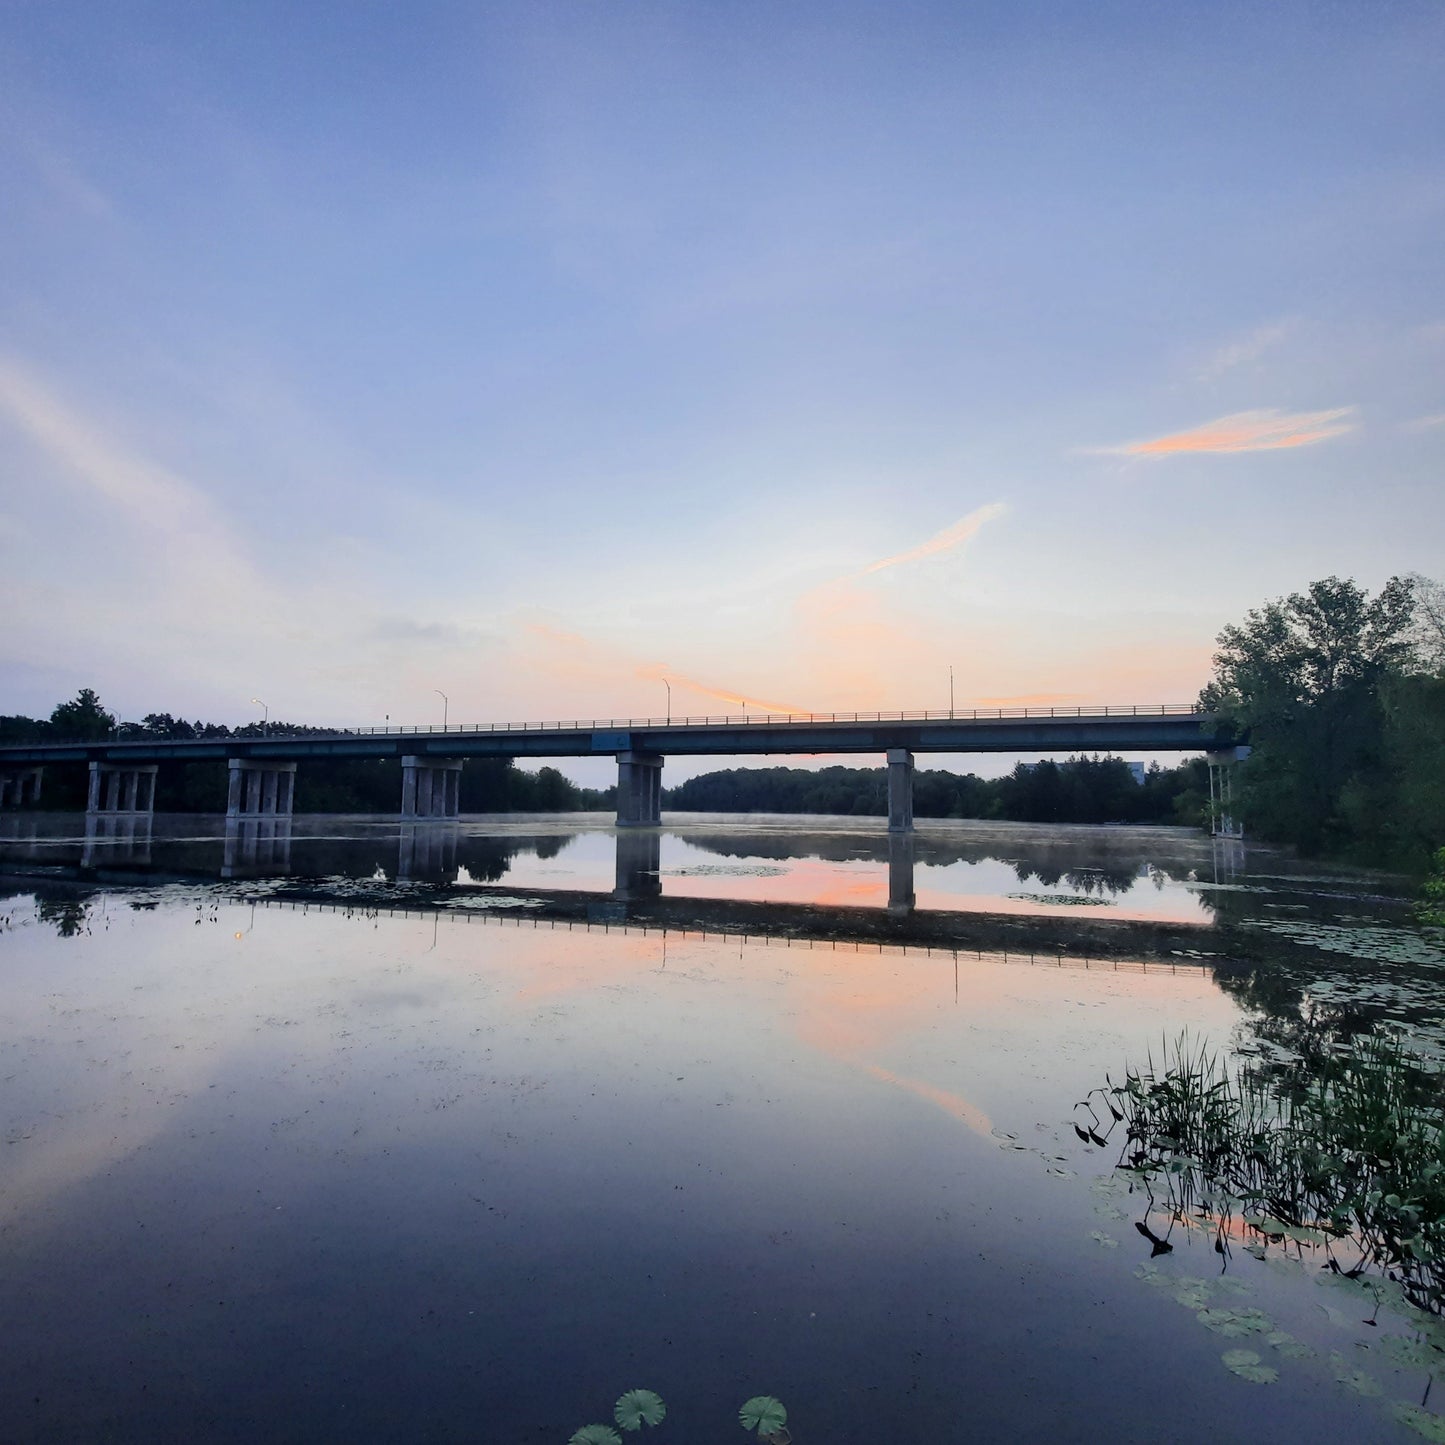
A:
(262, 768)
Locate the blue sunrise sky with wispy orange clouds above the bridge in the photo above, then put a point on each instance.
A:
(790, 355)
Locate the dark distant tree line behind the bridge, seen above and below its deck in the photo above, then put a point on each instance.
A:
(1082, 790)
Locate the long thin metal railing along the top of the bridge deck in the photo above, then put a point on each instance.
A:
(1113, 710)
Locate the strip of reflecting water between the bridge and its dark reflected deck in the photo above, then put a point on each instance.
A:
(1158, 876)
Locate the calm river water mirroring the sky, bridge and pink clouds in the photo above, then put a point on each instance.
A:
(446, 1161)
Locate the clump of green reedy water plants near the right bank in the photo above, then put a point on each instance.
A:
(1342, 1154)
